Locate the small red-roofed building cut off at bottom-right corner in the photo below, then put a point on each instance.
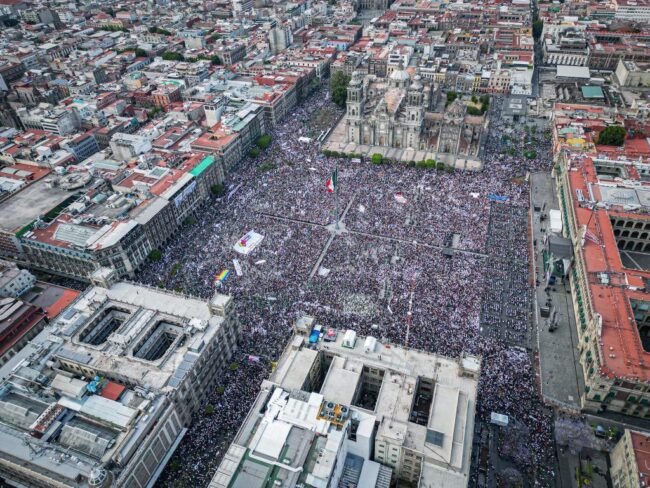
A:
(631, 460)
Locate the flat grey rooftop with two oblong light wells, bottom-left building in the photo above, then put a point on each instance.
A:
(86, 390)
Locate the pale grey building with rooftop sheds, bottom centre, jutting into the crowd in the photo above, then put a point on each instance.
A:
(340, 410)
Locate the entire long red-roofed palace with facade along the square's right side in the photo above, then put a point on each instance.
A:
(602, 193)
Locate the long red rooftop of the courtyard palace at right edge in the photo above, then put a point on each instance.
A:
(596, 200)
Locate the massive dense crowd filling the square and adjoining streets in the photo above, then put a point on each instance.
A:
(399, 224)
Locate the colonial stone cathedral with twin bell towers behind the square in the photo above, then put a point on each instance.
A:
(405, 113)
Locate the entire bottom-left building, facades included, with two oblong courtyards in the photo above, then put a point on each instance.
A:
(104, 395)
